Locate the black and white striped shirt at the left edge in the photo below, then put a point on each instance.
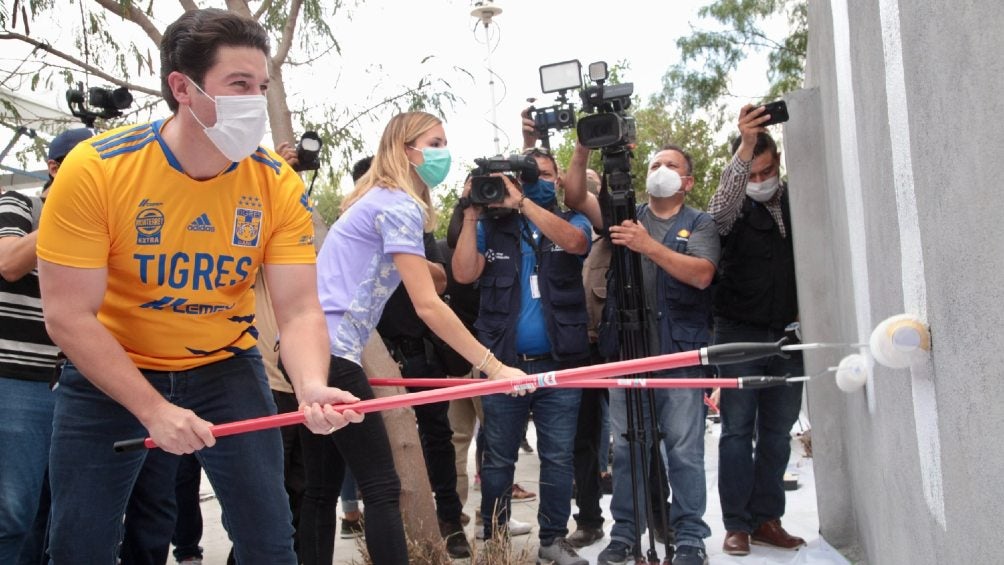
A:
(27, 353)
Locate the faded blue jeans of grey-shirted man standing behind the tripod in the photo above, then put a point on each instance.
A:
(681, 415)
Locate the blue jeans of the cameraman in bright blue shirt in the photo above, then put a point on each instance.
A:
(556, 414)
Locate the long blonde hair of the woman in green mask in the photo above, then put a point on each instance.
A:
(391, 167)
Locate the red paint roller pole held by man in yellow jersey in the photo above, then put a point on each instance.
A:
(616, 369)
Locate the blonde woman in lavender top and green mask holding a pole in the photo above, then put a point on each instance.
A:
(375, 245)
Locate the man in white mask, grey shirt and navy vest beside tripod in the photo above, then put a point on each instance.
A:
(680, 251)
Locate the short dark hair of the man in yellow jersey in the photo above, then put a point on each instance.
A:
(191, 44)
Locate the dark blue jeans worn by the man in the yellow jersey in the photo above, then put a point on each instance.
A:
(92, 483)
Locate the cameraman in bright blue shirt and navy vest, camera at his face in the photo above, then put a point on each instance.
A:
(533, 315)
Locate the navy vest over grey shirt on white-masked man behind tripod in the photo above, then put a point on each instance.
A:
(683, 314)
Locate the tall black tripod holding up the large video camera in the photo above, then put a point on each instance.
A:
(617, 201)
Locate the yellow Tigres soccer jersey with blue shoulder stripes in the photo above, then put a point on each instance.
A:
(182, 254)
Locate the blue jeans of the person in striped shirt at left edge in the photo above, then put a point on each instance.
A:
(26, 428)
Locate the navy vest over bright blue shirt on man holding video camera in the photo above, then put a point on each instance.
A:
(563, 297)
